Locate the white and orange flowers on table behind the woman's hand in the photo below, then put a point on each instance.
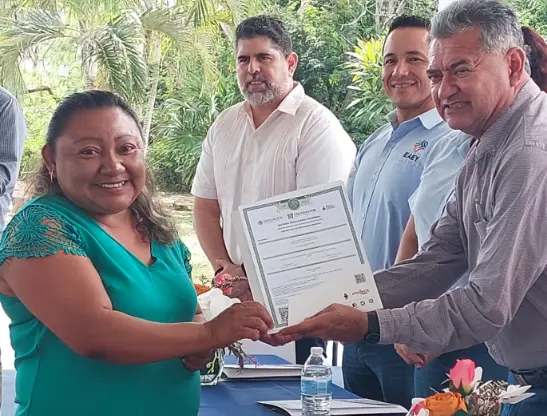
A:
(213, 301)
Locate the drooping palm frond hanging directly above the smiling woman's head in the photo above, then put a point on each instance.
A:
(117, 49)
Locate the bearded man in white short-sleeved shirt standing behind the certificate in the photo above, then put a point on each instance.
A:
(276, 141)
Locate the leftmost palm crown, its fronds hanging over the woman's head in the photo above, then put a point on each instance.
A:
(108, 47)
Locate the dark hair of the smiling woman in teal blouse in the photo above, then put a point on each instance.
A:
(151, 220)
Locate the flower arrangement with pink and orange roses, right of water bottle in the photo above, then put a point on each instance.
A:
(468, 395)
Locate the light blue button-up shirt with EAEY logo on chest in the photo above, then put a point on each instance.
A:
(387, 171)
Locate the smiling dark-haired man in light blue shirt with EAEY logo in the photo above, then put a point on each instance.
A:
(387, 171)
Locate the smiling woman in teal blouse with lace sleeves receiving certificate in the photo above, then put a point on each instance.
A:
(97, 283)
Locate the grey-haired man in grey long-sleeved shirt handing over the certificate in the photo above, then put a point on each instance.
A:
(495, 226)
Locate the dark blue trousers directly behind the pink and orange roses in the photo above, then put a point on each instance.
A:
(433, 375)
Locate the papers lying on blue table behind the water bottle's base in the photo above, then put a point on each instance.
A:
(340, 407)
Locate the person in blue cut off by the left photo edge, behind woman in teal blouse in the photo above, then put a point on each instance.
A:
(13, 132)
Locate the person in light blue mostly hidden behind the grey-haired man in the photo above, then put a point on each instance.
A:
(427, 203)
